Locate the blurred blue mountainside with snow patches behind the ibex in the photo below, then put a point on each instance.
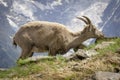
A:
(15, 13)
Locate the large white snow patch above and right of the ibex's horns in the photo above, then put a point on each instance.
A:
(94, 12)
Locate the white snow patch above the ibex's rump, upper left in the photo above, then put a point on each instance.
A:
(27, 9)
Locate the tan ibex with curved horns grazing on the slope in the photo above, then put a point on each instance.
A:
(40, 36)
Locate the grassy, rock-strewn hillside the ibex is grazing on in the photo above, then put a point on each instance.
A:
(60, 68)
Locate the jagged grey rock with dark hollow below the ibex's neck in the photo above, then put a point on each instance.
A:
(82, 54)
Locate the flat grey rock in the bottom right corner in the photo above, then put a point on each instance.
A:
(106, 76)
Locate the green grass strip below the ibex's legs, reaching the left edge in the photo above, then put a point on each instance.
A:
(27, 67)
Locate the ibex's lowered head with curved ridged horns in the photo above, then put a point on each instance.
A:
(90, 29)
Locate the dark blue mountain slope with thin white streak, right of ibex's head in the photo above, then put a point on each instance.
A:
(111, 19)
